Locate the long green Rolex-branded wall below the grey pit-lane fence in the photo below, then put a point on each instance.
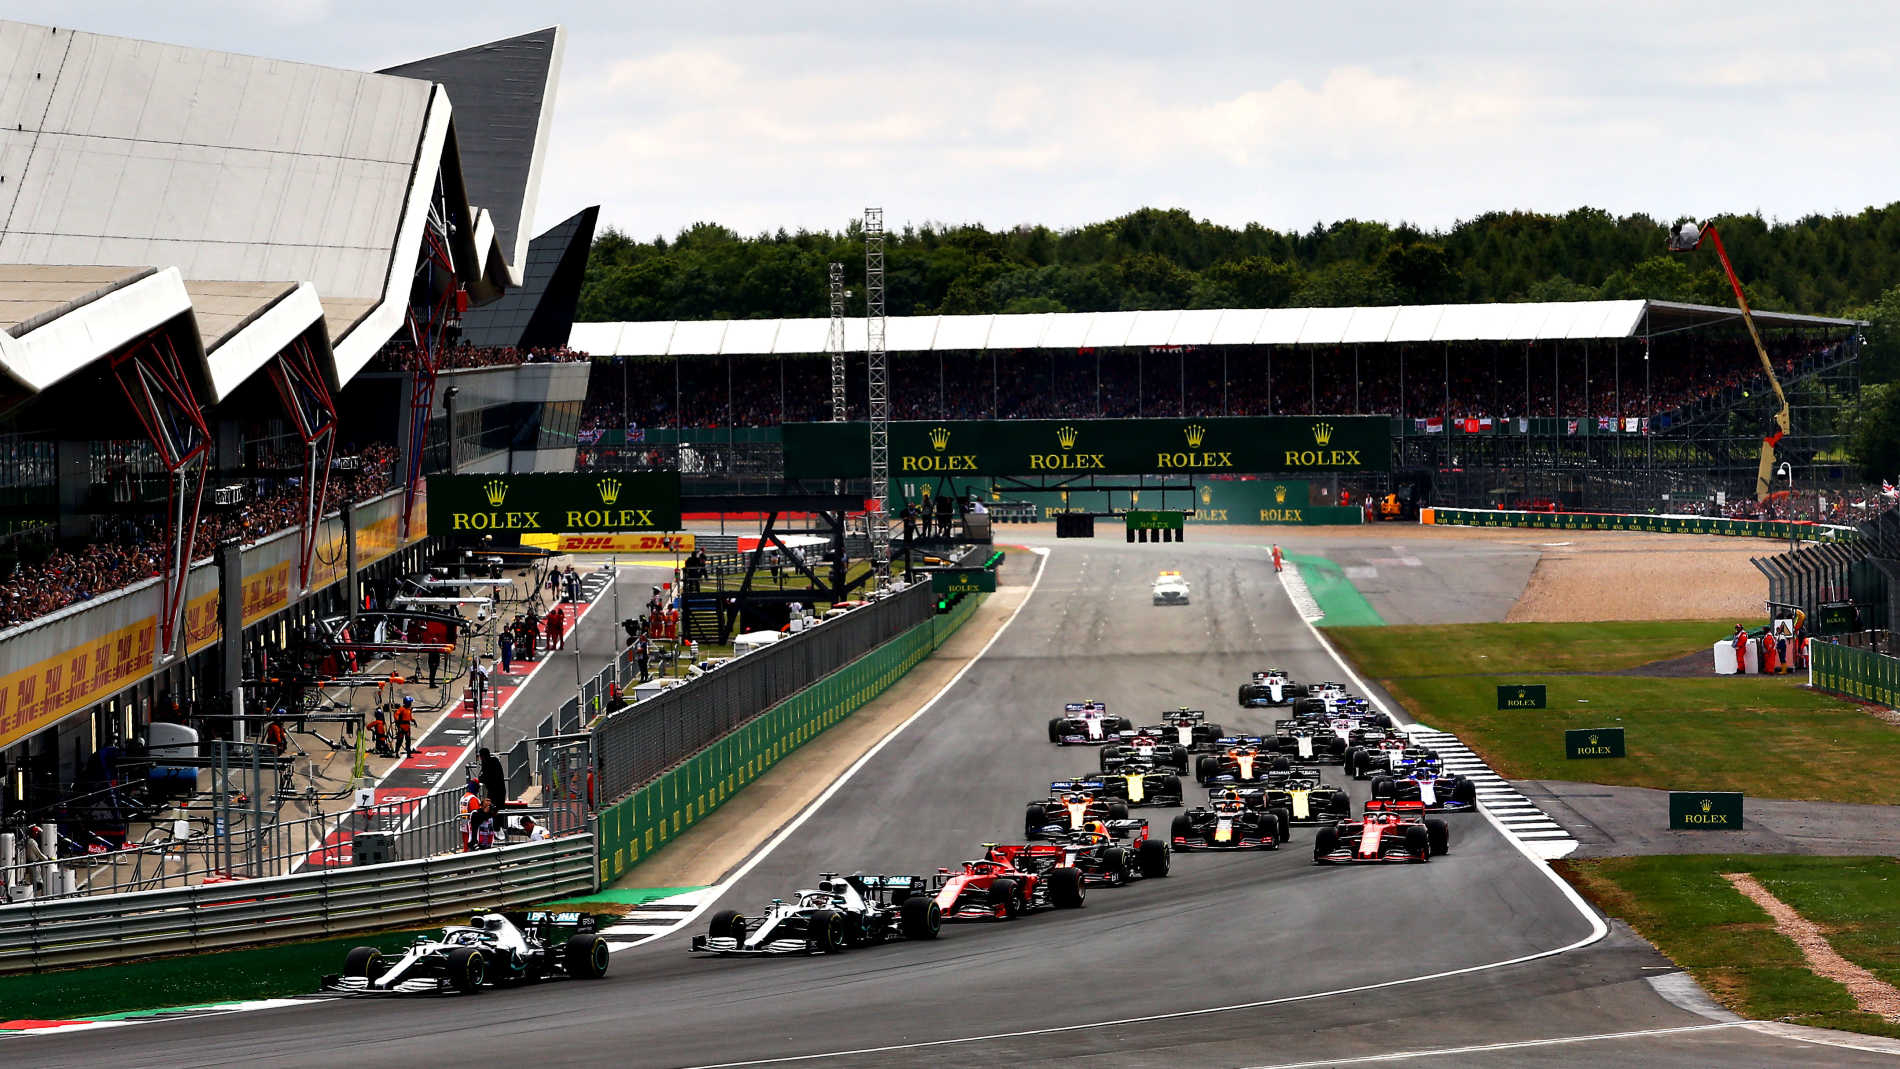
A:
(683, 797)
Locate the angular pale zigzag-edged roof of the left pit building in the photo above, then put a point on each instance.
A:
(254, 198)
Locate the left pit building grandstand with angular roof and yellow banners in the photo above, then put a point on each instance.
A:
(233, 293)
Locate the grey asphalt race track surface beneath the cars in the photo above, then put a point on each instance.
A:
(1234, 960)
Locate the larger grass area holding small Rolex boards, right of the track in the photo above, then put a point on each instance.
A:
(1768, 738)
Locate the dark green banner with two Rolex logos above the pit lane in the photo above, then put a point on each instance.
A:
(611, 502)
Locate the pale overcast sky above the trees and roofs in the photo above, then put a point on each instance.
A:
(763, 115)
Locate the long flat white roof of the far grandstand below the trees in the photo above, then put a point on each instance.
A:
(1536, 322)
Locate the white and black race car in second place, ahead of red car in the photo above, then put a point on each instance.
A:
(839, 914)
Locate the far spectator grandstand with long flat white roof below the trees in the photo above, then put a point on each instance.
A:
(1587, 405)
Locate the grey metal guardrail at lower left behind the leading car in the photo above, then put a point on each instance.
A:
(322, 903)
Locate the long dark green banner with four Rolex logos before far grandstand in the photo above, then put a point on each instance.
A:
(1095, 447)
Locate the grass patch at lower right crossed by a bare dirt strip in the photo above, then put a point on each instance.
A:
(1730, 945)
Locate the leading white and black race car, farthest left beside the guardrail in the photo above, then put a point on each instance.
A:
(491, 950)
